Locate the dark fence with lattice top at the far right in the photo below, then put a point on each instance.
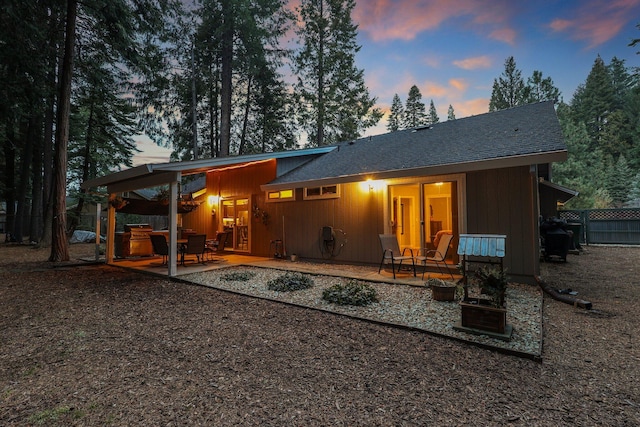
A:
(606, 226)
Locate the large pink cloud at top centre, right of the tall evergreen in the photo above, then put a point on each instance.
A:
(405, 19)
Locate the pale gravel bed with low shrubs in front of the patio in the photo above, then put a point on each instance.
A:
(409, 306)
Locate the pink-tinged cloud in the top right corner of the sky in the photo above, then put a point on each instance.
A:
(597, 21)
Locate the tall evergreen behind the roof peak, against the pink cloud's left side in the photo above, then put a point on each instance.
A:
(335, 103)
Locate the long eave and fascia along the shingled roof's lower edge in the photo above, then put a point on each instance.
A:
(429, 170)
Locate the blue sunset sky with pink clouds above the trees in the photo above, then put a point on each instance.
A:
(453, 50)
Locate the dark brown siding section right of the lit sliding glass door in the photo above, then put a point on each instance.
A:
(502, 201)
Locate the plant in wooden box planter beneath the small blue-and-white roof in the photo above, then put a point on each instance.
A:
(486, 312)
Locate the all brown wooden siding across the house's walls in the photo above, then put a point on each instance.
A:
(501, 201)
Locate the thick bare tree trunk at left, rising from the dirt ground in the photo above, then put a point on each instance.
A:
(59, 241)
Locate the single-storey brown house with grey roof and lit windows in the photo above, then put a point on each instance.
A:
(480, 174)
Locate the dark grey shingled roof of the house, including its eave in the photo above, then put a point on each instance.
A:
(517, 136)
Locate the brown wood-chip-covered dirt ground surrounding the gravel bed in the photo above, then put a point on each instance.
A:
(97, 345)
